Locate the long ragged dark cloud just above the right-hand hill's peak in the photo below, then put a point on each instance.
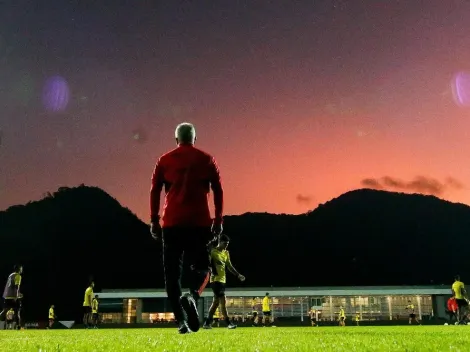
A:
(420, 184)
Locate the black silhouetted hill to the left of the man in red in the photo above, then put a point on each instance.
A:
(70, 236)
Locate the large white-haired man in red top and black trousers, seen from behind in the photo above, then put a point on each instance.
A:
(187, 174)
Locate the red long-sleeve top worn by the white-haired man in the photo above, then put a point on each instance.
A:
(188, 174)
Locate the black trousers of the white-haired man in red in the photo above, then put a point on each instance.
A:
(192, 243)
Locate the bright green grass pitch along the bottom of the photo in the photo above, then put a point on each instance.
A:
(400, 338)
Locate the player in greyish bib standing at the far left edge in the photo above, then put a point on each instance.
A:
(12, 295)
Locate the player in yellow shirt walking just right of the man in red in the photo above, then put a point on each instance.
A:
(220, 263)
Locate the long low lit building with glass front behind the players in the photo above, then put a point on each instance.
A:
(372, 303)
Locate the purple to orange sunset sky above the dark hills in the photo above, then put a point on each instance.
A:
(298, 101)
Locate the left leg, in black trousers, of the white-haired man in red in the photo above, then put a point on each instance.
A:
(172, 264)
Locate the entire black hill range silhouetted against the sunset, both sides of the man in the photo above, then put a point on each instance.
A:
(363, 237)
